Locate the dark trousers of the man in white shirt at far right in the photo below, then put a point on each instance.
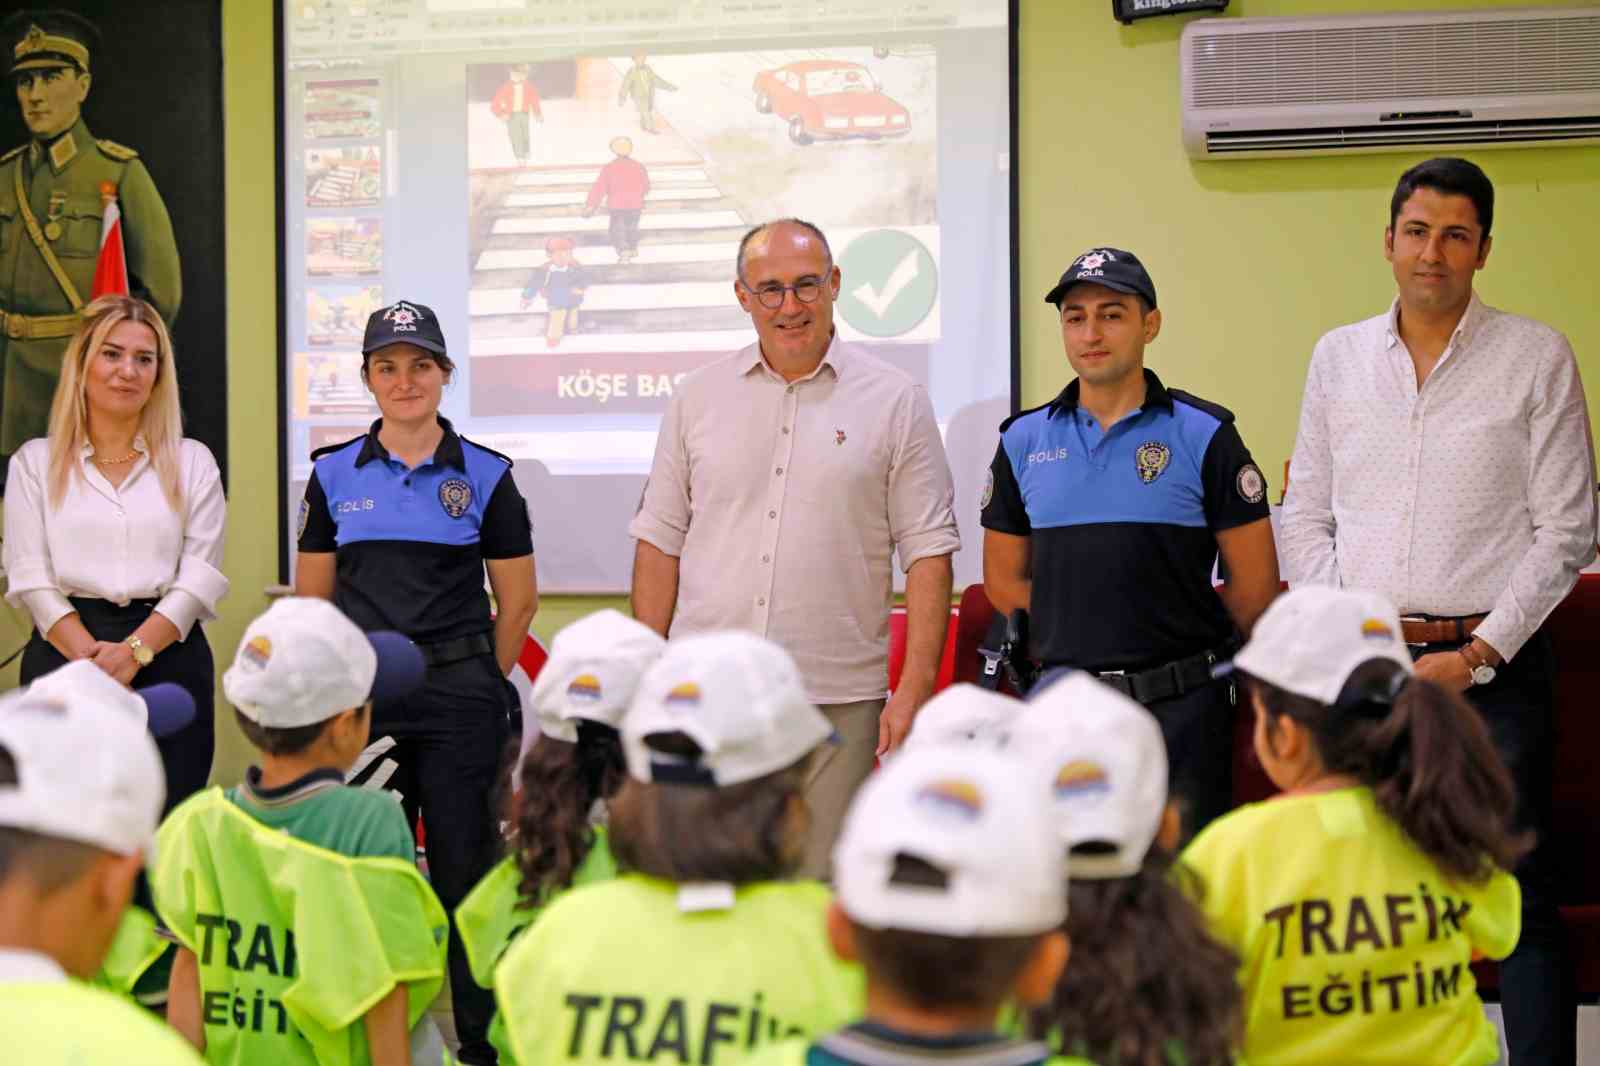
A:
(1538, 984)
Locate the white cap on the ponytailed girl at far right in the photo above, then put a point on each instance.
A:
(1313, 638)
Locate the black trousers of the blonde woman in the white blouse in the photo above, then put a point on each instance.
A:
(186, 755)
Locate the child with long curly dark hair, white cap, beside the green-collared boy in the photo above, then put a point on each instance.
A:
(566, 779)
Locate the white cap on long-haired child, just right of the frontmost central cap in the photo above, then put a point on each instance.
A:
(1105, 763)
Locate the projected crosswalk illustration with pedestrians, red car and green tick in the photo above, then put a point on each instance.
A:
(609, 196)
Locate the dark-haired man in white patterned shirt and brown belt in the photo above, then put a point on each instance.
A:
(1444, 459)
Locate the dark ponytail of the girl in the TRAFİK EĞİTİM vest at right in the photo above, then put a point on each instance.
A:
(1428, 759)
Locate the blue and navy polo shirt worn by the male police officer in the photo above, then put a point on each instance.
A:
(1122, 524)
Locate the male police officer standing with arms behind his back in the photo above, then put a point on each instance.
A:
(1105, 513)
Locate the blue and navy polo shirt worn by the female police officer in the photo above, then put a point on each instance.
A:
(410, 543)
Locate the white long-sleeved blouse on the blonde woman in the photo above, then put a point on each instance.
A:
(114, 542)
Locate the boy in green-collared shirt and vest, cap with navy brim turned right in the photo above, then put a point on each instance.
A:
(306, 934)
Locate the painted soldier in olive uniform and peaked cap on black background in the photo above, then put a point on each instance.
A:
(54, 193)
